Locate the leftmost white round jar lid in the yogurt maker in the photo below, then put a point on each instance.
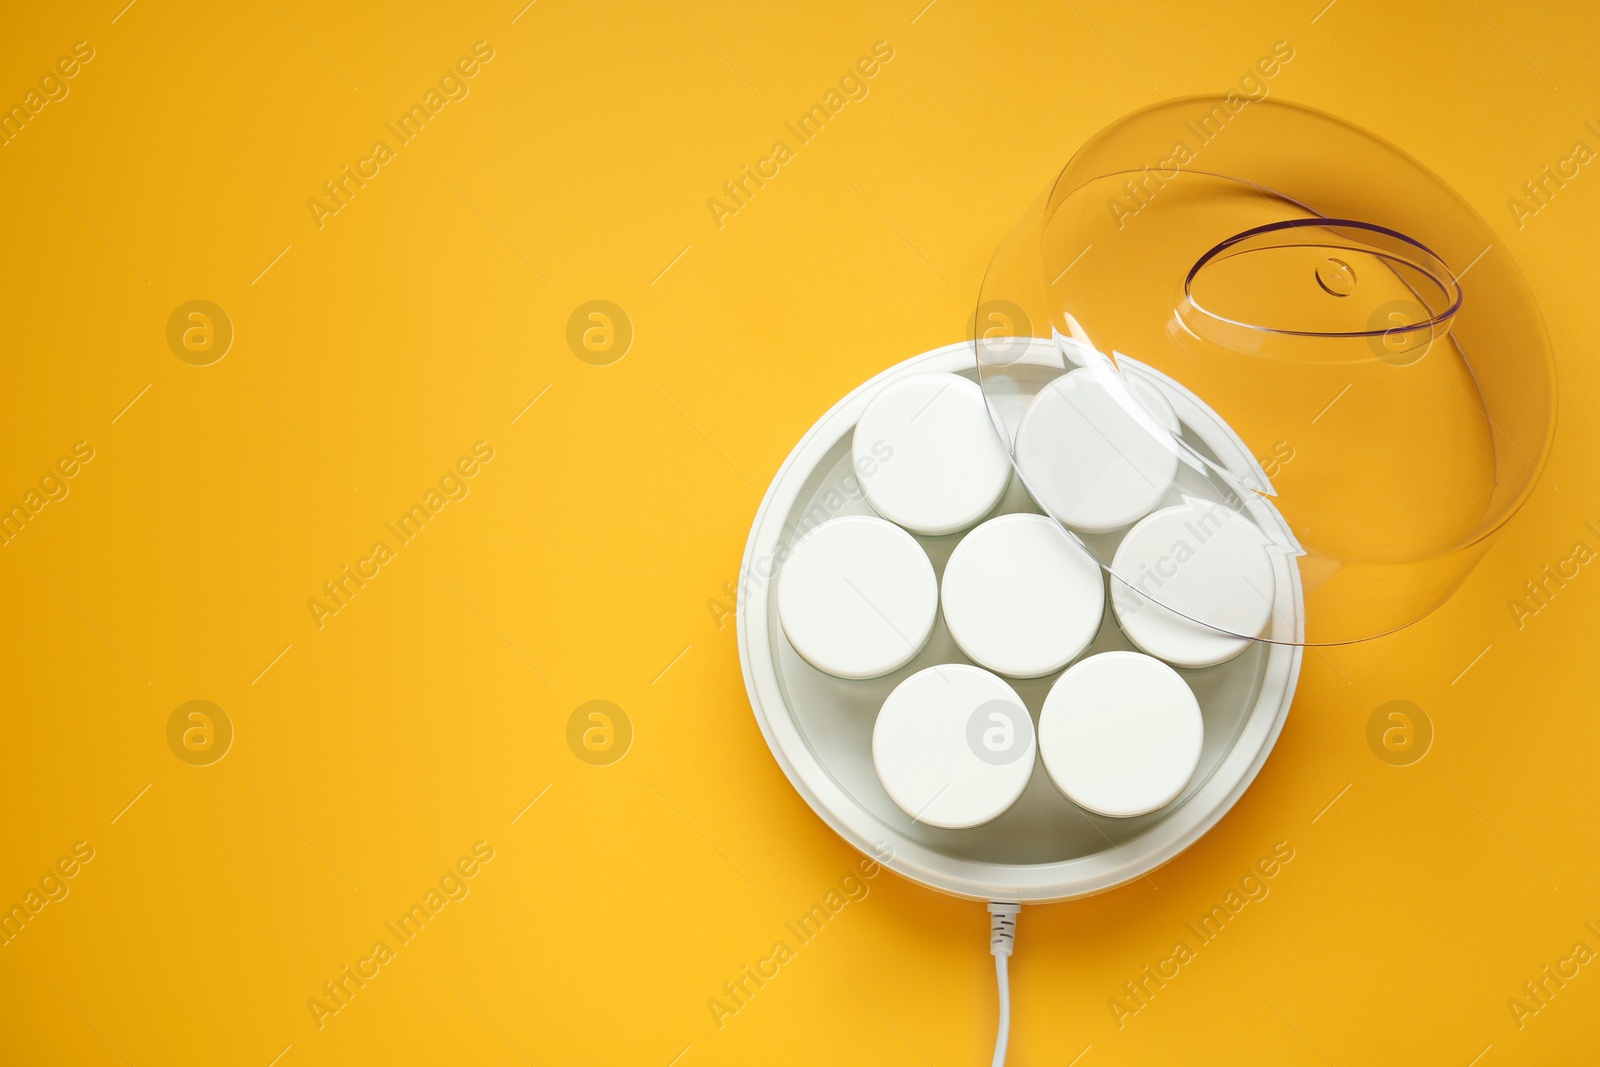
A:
(858, 597)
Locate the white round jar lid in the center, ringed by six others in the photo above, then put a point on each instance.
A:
(1022, 597)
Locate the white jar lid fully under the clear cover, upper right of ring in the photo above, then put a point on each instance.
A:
(1090, 462)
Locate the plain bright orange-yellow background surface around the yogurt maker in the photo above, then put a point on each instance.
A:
(370, 754)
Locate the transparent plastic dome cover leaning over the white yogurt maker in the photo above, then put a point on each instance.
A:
(1241, 342)
